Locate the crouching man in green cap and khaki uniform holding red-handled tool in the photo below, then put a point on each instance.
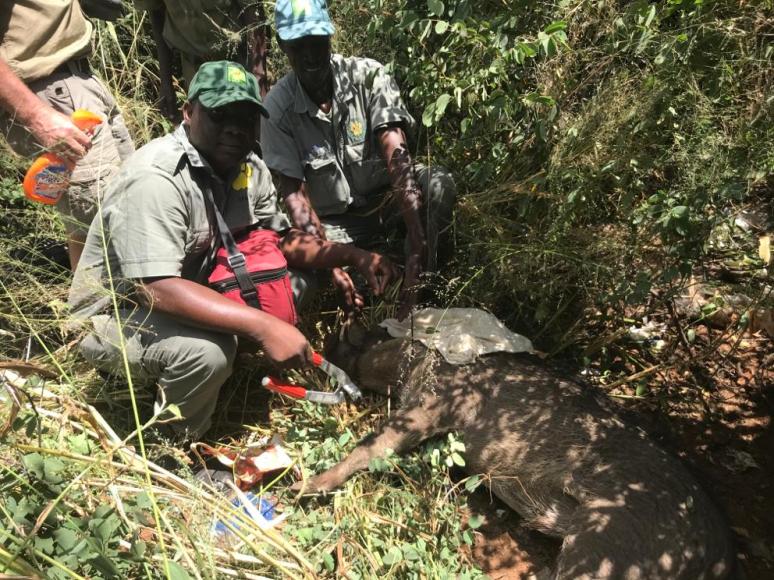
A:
(156, 228)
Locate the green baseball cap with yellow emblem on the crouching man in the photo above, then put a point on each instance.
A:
(222, 82)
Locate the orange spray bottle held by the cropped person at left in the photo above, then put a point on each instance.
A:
(49, 175)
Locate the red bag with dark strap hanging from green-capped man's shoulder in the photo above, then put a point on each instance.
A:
(266, 273)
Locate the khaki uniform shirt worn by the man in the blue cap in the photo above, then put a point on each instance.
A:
(338, 154)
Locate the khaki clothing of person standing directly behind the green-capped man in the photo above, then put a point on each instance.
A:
(208, 29)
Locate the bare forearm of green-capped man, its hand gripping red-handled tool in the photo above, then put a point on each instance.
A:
(202, 307)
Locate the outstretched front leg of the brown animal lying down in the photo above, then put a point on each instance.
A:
(403, 431)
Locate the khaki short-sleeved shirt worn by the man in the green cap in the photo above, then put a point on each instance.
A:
(156, 220)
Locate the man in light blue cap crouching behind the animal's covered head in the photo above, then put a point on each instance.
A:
(336, 138)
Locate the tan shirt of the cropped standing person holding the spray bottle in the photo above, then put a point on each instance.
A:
(37, 36)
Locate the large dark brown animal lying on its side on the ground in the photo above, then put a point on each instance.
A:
(623, 507)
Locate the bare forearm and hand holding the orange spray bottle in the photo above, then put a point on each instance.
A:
(53, 130)
